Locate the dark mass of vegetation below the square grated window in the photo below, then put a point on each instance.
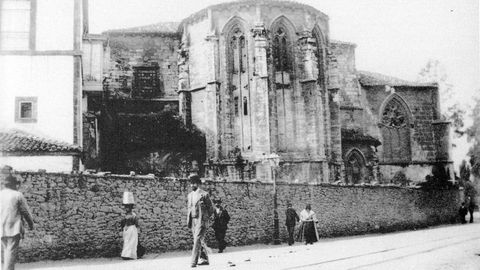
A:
(158, 143)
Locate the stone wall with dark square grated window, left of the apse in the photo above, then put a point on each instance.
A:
(143, 64)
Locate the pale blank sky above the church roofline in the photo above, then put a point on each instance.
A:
(394, 37)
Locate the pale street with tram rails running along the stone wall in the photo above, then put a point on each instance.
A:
(440, 248)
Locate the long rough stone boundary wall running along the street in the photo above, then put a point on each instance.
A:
(79, 216)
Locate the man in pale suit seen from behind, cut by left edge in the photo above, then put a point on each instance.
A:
(14, 208)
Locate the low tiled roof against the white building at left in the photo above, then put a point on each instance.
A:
(21, 142)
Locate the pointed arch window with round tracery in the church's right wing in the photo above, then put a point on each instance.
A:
(395, 129)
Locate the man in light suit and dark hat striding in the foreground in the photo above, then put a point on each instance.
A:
(200, 209)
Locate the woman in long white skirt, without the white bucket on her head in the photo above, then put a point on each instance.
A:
(130, 234)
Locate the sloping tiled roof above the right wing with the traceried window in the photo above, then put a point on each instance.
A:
(367, 78)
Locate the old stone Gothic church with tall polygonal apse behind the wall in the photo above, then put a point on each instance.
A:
(263, 78)
